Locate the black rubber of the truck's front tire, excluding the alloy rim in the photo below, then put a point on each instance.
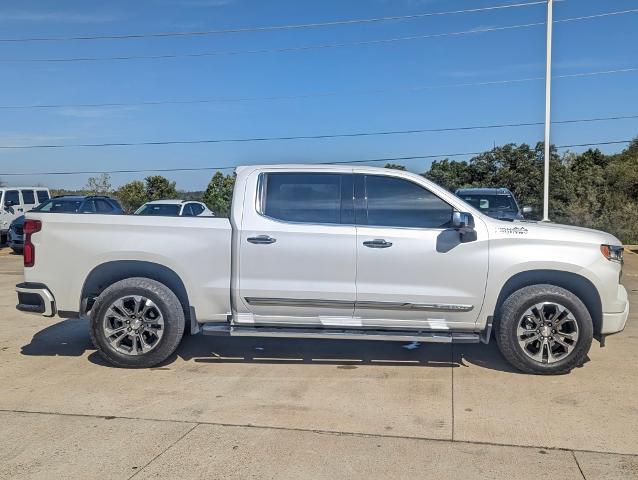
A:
(514, 308)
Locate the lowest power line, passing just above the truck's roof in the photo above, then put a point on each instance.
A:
(345, 162)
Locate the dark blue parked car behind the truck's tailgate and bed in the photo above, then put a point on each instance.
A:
(64, 204)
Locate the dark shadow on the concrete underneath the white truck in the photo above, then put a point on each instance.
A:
(70, 338)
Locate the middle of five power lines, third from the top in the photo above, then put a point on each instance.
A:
(377, 91)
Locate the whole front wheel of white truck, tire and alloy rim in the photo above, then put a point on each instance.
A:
(536, 335)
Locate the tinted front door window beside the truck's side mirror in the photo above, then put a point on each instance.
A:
(395, 202)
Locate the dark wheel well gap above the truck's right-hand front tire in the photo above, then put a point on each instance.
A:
(577, 284)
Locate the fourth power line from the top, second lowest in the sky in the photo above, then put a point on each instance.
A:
(317, 137)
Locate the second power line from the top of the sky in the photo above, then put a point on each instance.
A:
(309, 47)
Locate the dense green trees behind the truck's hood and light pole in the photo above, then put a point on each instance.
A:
(588, 189)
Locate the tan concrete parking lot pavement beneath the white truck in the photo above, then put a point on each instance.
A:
(275, 408)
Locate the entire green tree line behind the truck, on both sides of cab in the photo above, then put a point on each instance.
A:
(589, 189)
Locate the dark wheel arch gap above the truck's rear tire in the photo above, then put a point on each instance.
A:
(106, 274)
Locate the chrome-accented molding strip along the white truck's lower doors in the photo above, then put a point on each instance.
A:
(307, 302)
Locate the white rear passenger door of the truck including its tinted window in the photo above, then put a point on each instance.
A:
(297, 250)
